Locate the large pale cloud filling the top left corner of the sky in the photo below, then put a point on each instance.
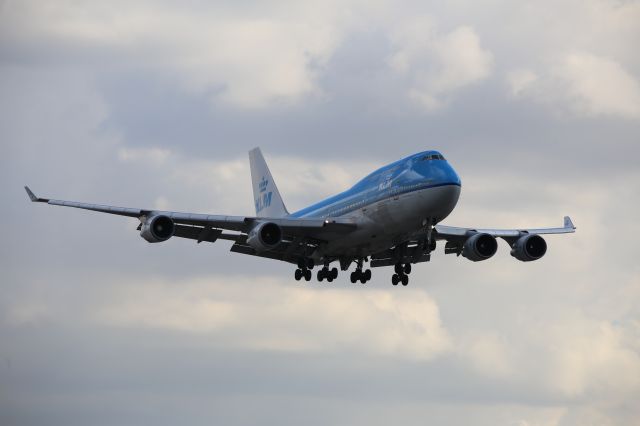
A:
(246, 59)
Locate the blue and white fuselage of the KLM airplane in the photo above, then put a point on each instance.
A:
(391, 203)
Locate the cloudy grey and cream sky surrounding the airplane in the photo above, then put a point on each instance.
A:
(536, 104)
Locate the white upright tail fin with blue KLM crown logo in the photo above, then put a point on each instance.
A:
(265, 192)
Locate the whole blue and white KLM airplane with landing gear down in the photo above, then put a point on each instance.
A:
(390, 218)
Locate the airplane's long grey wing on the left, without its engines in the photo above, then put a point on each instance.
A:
(205, 227)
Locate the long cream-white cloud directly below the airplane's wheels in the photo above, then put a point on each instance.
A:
(285, 318)
